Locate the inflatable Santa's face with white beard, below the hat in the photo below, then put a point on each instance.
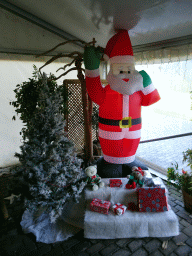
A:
(124, 79)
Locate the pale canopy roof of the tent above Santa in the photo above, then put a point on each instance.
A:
(33, 26)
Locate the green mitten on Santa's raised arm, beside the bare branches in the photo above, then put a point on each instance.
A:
(92, 57)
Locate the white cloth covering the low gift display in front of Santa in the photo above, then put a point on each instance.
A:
(130, 224)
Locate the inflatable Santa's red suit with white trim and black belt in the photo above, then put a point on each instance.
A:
(119, 115)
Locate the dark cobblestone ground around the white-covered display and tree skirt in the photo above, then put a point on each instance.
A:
(14, 242)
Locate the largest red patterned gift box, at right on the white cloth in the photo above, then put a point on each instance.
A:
(152, 199)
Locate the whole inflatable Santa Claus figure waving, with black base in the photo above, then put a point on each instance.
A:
(119, 103)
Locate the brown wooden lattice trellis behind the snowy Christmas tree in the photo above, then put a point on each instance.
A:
(75, 119)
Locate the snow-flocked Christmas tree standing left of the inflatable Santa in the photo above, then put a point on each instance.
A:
(49, 163)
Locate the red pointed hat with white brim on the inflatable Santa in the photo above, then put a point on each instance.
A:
(119, 48)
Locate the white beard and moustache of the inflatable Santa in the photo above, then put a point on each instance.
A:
(134, 84)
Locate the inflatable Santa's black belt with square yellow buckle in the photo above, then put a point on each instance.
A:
(126, 122)
